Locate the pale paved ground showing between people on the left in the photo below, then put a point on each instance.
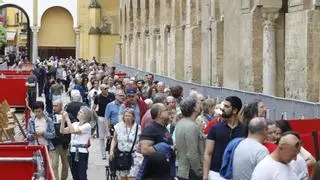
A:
(96, 166)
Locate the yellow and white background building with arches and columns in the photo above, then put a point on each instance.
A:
(78, 28)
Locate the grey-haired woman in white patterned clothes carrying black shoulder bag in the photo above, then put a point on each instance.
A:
(124, 139)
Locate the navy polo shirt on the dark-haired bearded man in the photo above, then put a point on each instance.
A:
(222, 134)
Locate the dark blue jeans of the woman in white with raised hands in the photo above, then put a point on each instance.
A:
(79, 169)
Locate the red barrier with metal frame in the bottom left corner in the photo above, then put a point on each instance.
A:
(23, 162)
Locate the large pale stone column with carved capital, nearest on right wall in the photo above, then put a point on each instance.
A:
(269, 53)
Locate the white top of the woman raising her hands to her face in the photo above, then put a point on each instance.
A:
(82, 138)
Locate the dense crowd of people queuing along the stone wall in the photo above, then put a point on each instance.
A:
(151, 131)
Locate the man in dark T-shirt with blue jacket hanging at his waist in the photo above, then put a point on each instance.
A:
(156, 147)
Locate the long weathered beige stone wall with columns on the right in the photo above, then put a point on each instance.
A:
(268, 46)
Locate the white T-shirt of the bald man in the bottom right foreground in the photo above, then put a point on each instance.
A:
(269, 169)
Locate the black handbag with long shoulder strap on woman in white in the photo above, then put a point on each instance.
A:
(124, 160)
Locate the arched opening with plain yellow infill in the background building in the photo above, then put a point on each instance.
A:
(56, 35)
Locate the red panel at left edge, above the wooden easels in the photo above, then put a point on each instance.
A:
(13, 87)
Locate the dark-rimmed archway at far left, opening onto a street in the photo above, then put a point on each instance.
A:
(18, 33)
